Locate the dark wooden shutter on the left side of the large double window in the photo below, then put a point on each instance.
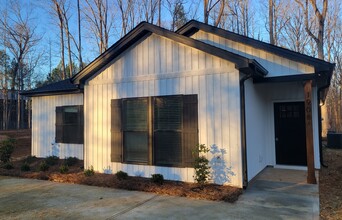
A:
(116, 134)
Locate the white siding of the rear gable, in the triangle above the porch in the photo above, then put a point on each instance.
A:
(276, 65)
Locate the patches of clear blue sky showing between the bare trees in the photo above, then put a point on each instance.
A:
(48, 29)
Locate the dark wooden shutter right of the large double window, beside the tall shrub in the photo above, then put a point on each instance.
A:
(190, 128)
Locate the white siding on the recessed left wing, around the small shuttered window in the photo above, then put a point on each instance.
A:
(44, 129)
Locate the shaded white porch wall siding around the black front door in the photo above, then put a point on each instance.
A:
(260, 99)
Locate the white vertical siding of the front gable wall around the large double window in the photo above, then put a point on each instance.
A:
(159, 66)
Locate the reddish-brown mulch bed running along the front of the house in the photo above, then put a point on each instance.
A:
(76, 175)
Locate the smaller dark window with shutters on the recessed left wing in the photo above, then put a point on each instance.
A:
(69, 124)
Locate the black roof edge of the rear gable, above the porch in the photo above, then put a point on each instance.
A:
(193, 26)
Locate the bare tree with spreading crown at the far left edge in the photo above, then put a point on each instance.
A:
(20, 39)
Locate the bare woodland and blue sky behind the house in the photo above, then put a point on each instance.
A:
(45, 41)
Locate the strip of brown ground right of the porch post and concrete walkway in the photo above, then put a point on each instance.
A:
(330, 185)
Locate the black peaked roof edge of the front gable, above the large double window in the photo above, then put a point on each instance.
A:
(144, 29)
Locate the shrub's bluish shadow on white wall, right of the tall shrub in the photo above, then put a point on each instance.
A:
(221, 173)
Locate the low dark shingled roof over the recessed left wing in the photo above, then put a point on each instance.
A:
(61, 87)
